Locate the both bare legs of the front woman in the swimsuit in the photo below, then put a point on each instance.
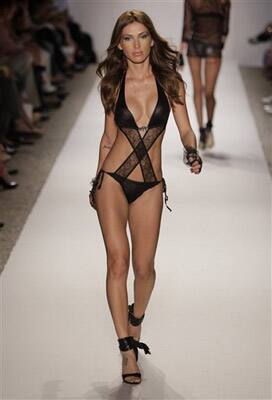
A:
(144, 216)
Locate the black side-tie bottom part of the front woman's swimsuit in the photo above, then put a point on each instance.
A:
(132, 189)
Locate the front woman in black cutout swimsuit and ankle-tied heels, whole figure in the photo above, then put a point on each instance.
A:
(139, 86)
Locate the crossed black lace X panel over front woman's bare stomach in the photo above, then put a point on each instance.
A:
(141, 145)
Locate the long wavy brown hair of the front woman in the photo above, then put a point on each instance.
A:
(163, 60)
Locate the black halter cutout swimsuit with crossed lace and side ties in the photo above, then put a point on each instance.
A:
(140, 144)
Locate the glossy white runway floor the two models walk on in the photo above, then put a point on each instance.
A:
(208, 322)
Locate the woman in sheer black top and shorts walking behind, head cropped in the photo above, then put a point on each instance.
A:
(205, 29)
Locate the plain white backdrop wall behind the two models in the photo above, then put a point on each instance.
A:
(248, 17)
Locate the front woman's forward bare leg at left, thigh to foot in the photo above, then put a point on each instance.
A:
(112, 210)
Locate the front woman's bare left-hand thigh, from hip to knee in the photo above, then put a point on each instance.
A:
(112, 211)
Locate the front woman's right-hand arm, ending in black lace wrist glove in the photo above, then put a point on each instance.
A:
(187, 135)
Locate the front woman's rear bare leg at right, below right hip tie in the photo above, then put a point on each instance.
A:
(144, 223)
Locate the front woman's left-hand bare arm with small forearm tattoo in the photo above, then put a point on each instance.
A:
(107, 140)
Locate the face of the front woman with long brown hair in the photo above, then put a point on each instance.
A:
(136, 42)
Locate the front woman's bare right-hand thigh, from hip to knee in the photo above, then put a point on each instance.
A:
(144, 223)
